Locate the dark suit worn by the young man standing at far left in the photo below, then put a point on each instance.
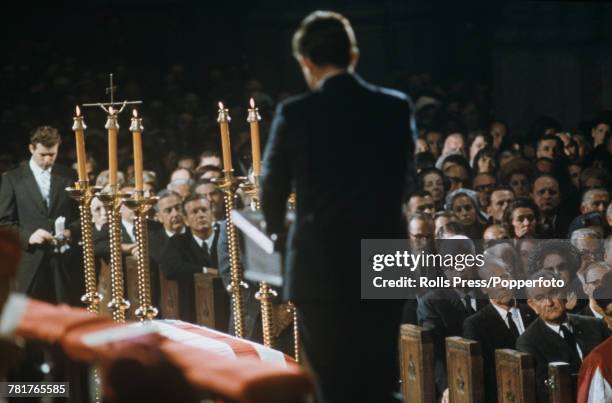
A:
(41, 272)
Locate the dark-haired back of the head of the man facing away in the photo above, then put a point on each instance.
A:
(326, 38)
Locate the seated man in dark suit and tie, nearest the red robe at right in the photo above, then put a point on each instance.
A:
(556, 335)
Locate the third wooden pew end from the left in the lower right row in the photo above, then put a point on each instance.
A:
(515, 377)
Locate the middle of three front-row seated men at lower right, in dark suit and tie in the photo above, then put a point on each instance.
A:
(498, 324)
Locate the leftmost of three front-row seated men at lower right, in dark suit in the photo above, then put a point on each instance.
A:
(443, 310)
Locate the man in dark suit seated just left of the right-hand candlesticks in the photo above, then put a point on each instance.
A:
(191, 252)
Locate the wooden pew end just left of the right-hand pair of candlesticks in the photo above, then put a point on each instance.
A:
(212, 302)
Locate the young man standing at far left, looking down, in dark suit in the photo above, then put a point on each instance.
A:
(32, 197)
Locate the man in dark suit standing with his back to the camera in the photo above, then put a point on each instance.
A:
(316, 141)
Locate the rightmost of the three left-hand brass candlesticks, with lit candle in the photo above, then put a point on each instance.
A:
(141, 205)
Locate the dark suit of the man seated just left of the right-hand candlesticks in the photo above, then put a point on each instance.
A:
(181, 258)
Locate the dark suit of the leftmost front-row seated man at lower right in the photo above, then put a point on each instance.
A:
(442, 312)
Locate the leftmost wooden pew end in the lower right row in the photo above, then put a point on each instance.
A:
(416, 349)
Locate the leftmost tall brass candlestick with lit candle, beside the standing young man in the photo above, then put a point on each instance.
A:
(84, 193)
